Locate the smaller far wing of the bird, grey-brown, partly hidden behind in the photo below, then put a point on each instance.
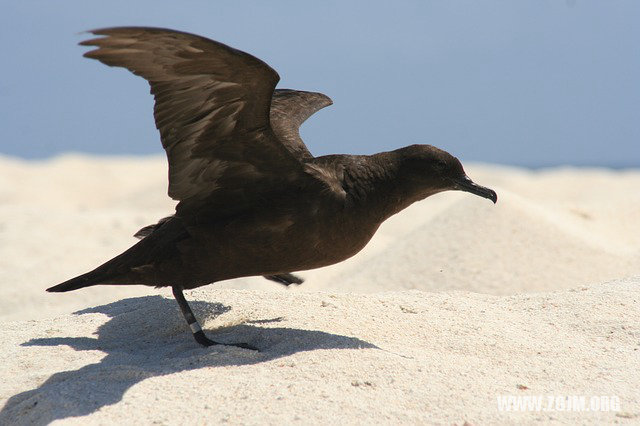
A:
(291, 108)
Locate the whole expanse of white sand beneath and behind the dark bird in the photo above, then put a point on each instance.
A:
(453, 303)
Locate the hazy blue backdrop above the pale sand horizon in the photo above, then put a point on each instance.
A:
(518, 82)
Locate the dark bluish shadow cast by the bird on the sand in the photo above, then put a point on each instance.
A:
(147, 337)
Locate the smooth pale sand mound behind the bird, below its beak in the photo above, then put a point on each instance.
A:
(513, 247)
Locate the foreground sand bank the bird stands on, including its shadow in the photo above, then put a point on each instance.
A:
(400, 357)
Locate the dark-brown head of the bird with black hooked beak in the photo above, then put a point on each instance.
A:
(429, 170)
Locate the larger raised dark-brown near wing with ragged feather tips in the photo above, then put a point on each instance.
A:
(212, 106)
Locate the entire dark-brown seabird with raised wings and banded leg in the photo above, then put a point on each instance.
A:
(252, 199)
